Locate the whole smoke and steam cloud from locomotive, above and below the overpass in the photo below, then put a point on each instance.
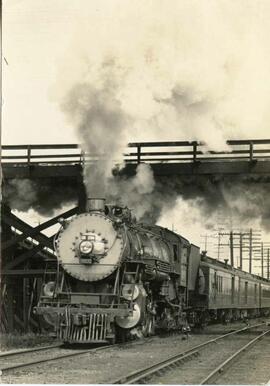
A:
(178, 70)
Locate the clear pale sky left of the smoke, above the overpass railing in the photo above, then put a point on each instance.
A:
(34, 48)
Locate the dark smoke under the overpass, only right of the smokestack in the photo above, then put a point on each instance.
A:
(241, 202)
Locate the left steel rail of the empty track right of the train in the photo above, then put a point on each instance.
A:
(146, 372)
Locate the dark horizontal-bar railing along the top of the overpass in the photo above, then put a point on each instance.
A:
(150, 152)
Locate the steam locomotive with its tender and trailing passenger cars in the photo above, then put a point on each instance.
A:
(116, 277)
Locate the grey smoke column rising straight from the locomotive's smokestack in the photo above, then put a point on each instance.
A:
(102, 126)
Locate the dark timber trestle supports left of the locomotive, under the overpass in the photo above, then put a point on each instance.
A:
(24, 258)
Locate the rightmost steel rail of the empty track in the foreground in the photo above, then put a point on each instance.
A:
(219, 370)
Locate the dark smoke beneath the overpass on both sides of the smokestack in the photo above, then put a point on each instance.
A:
(243, 202)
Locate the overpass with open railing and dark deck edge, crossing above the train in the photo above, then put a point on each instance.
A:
(245, 157)
